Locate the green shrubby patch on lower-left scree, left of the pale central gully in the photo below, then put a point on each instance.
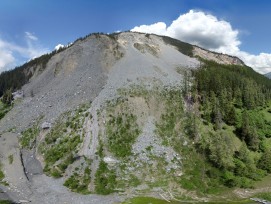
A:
(61, 144)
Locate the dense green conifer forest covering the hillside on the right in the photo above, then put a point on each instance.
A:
(233, 127)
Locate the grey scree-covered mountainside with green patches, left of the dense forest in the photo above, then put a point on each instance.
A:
(107, 115)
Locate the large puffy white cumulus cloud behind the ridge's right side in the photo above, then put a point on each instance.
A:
(207, 31)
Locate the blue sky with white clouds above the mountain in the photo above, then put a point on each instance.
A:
(29, 28)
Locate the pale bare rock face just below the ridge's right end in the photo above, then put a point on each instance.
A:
(217, 57)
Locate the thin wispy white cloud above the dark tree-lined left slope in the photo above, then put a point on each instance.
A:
(10, 52)
